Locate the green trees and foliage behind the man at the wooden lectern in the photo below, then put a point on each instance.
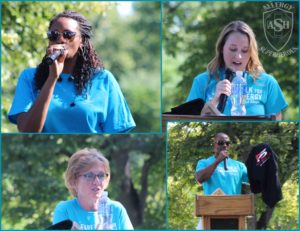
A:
(189, 142)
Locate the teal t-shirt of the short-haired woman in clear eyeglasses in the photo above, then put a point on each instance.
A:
(88, 220)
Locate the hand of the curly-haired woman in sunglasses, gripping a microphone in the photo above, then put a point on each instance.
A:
(57, 67)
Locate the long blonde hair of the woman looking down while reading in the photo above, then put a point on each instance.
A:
(254, 66)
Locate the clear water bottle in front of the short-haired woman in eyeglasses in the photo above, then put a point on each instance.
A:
(105, 212)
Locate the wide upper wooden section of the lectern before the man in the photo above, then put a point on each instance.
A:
(237, 205)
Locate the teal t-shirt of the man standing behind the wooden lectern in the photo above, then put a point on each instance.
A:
(230, 181)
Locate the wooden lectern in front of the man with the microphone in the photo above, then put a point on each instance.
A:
(225, 212)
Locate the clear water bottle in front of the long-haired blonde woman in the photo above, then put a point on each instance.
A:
(238, 95)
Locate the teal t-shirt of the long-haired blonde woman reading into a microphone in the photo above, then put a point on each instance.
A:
(264, 96)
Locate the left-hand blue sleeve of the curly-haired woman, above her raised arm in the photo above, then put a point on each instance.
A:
(24, 95)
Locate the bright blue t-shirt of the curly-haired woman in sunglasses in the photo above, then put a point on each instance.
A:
(101, 109)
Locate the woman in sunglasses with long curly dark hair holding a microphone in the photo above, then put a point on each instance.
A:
(75, 93)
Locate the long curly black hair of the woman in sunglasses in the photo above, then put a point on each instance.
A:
(87, 60)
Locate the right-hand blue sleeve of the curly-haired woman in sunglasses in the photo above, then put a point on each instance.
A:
(119, 118)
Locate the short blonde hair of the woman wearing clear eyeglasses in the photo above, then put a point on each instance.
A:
(79, 162)
